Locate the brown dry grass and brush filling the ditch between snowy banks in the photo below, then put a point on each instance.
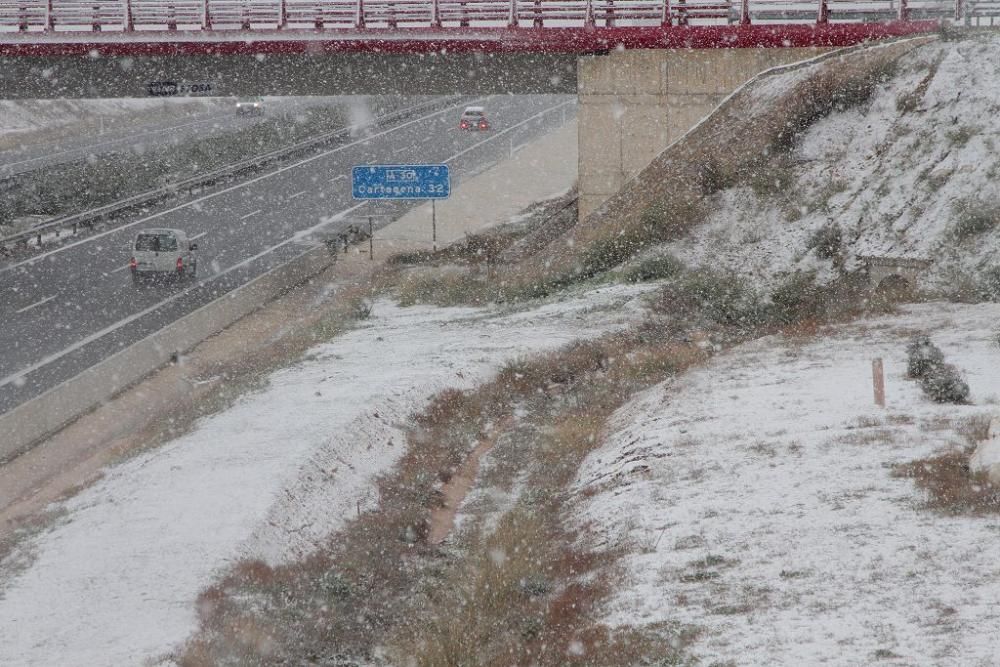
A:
(514, 584)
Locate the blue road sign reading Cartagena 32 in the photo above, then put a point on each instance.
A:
(401, 181)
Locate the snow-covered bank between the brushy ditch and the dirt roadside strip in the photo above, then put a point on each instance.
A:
(114, 582)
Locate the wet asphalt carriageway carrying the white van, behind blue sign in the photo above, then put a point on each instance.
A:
(71, 307)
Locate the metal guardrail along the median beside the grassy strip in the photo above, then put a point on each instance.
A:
(207, 178)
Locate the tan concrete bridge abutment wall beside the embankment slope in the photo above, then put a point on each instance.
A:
(633, 104)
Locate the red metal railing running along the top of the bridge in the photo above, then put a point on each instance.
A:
(204, 15)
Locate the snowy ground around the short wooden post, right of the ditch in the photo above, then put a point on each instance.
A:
(757, 495)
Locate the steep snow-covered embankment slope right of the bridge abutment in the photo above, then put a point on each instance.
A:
(889, 172)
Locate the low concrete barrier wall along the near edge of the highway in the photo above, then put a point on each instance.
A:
(30, 422)
